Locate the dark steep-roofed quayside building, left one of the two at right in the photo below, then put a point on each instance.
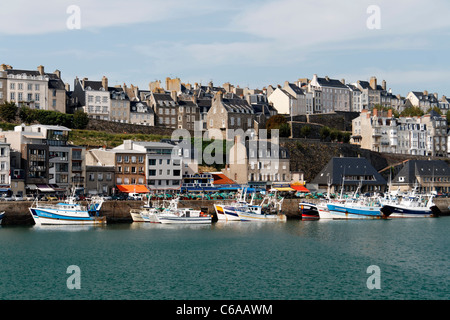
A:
(347, 174)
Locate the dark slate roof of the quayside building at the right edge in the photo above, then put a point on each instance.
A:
(421, 168)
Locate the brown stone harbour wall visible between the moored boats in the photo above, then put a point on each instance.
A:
(17, 213)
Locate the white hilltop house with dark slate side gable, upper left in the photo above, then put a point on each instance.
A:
(93, 97)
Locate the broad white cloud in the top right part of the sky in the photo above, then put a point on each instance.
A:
(313, 22)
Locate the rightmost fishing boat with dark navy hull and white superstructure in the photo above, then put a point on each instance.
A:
(412, 206)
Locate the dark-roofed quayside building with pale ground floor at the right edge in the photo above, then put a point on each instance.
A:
(427, 175)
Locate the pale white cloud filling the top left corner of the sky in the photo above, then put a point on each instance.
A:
(24, 17)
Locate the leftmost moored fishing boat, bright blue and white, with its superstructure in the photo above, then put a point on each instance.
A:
(69, 212)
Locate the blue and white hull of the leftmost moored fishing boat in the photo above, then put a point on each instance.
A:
(60, 217)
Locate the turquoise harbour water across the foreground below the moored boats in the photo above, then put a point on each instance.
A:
(296, 260)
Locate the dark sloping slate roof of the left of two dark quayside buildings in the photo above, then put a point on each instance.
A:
(337, 167)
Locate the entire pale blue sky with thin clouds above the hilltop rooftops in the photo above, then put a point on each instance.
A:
(251, 43)
